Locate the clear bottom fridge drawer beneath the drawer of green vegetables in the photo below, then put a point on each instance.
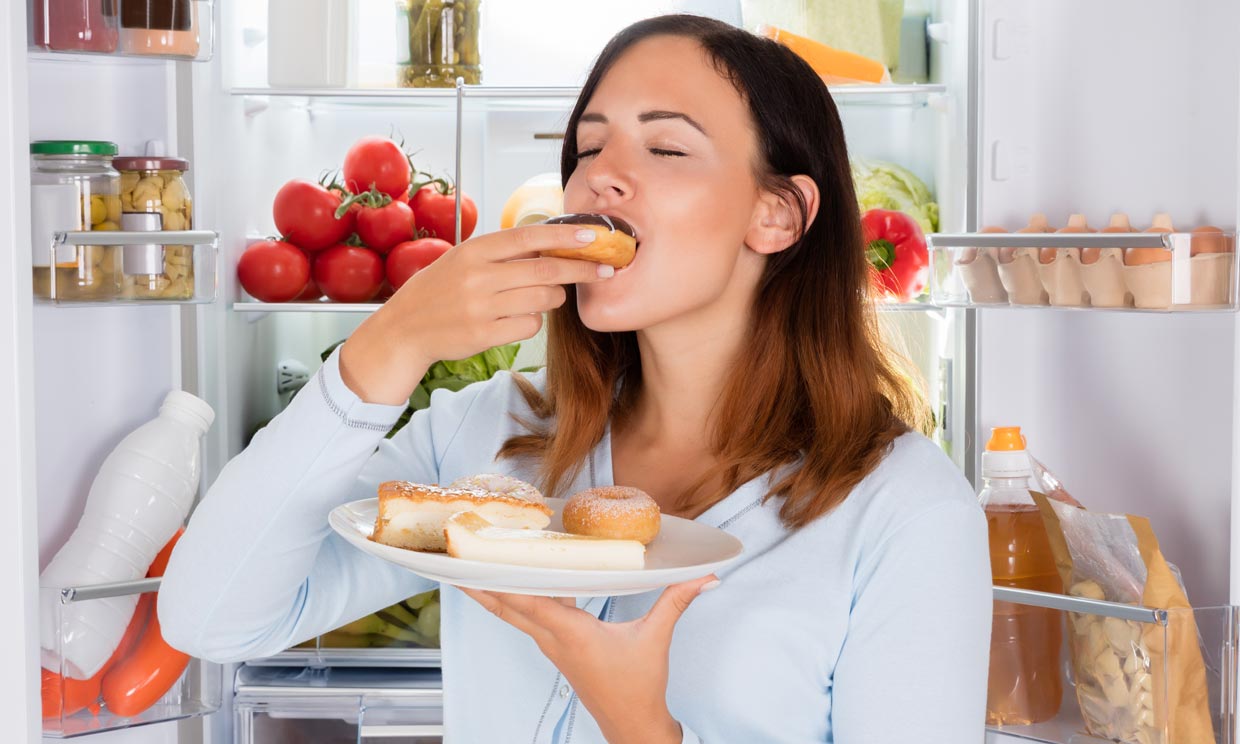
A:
(338, 706)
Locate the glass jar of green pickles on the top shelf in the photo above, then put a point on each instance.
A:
(443, 44)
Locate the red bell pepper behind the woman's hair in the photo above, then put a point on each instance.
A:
(897, 250)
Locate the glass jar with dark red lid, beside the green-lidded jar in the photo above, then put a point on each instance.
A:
(154, 198)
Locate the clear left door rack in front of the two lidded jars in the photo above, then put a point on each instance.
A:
(130, 268)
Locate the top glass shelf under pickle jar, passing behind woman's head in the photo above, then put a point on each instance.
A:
(513, 99)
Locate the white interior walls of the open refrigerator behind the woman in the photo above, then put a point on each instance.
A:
(1098, 107)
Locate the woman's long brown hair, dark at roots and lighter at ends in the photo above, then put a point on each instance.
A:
(817, 387)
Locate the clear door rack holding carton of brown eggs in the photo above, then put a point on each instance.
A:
(1176, 272)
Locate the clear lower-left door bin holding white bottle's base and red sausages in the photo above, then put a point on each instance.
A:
(76, 707)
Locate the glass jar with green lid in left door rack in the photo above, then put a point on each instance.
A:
(74, 188)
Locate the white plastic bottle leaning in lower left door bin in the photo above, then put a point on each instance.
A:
(141, 497)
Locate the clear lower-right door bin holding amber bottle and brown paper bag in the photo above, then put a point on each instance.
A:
(1128, 674)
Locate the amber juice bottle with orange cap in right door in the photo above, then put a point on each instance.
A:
(1025, 681)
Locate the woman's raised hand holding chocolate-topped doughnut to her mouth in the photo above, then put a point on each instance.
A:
(487, 292)
